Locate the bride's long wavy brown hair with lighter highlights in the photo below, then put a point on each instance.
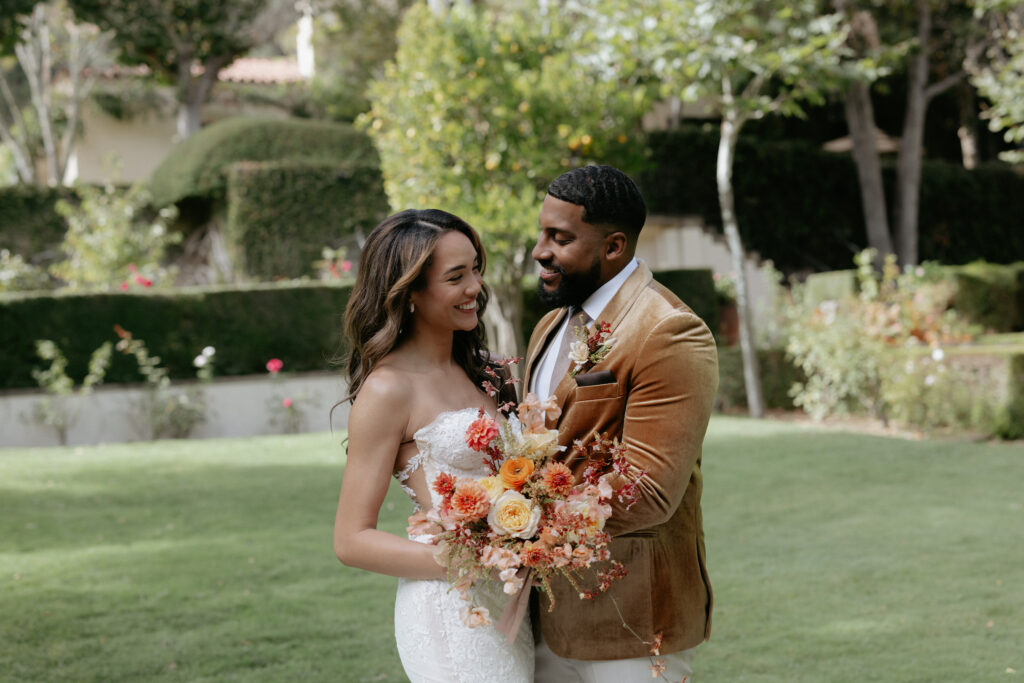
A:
(394, 265)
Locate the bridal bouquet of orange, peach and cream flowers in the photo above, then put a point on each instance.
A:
(529, 521)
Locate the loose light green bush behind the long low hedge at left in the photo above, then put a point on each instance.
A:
(113, 239)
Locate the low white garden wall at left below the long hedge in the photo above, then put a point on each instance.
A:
(236, 407)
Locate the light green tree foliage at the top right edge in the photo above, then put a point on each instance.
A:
(998, 72)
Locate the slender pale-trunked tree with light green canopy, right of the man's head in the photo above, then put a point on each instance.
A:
(745, 60)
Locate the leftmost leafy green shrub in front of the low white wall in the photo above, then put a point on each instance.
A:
(53, 411)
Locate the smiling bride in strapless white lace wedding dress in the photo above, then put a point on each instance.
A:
(415, 371)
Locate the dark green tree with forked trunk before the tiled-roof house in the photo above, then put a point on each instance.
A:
(187, 42)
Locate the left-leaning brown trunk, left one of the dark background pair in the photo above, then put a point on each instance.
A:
(861, 120)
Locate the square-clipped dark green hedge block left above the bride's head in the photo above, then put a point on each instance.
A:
(281, 215)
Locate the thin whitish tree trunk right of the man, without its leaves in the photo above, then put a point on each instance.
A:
(727, 150)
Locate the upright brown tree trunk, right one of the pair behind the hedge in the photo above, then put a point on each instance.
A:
(913, 143)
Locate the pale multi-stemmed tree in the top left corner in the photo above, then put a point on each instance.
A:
(53, 51)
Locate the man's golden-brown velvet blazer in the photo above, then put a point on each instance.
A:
(658, 400)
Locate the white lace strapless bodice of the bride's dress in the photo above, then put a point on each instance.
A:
(443, 449)
